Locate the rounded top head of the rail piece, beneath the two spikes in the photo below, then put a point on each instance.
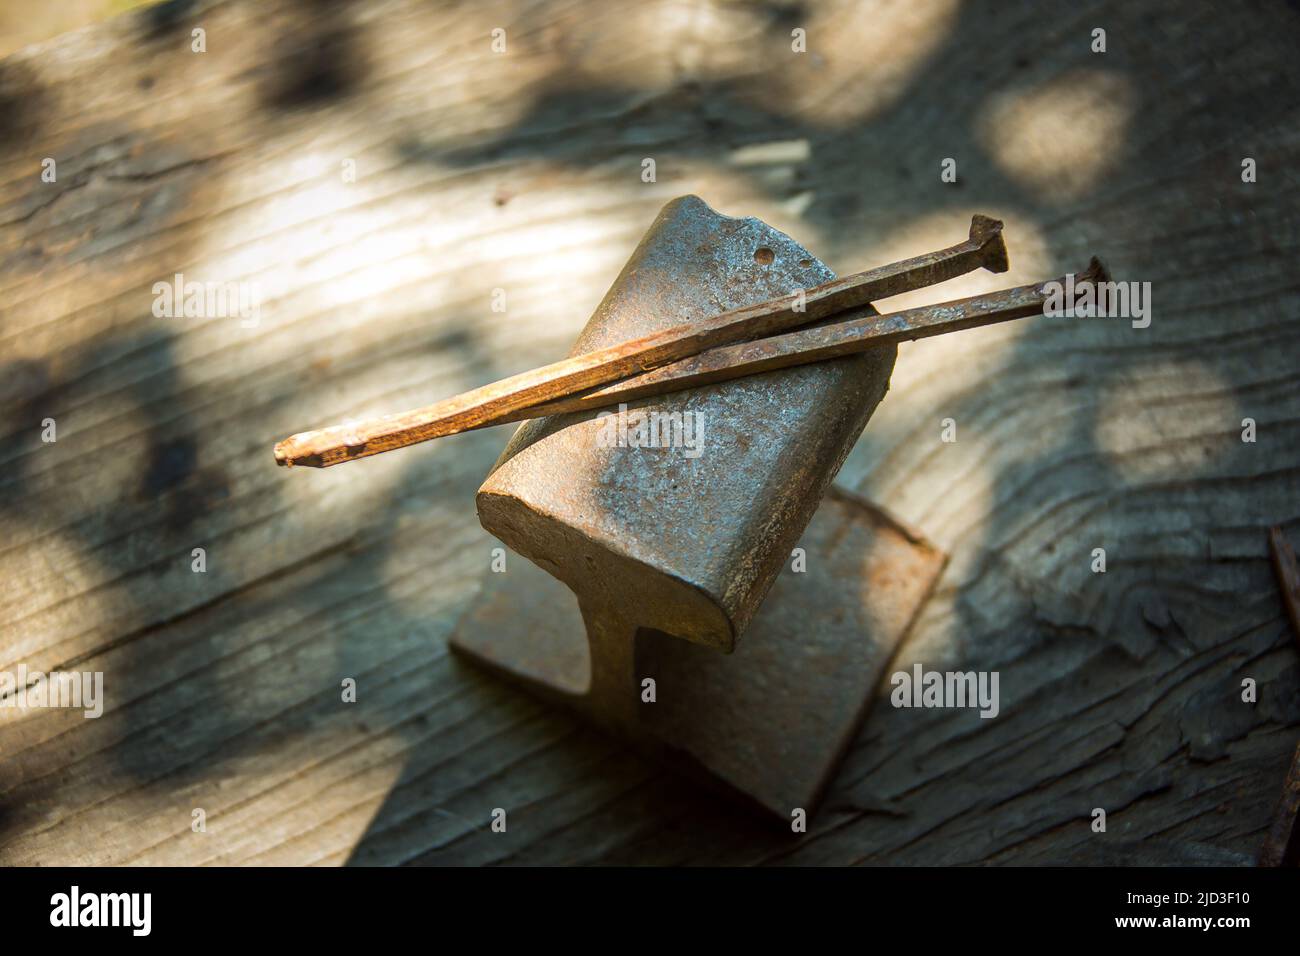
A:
(688, 546)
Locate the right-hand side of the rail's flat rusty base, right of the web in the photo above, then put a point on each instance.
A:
(774, 719)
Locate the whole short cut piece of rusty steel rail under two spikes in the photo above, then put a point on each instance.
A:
(660, 547)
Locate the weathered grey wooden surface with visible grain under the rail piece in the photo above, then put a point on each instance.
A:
(523, 172)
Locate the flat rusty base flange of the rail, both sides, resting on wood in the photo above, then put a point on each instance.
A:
(770, 721)
